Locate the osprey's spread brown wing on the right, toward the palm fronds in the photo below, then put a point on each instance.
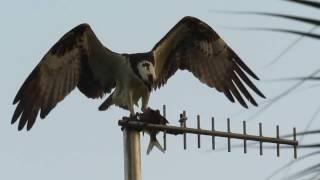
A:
(193, 45)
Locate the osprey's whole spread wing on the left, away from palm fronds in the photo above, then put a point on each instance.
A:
(78, 59)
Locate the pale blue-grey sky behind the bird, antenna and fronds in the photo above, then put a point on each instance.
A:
(76, 141)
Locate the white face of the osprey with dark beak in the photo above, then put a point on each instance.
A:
(146, 71)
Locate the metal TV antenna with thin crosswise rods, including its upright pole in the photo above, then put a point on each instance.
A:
(131, 137)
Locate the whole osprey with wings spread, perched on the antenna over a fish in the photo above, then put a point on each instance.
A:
(80, 60)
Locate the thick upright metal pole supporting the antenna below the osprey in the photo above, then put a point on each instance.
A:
(132, 154)
